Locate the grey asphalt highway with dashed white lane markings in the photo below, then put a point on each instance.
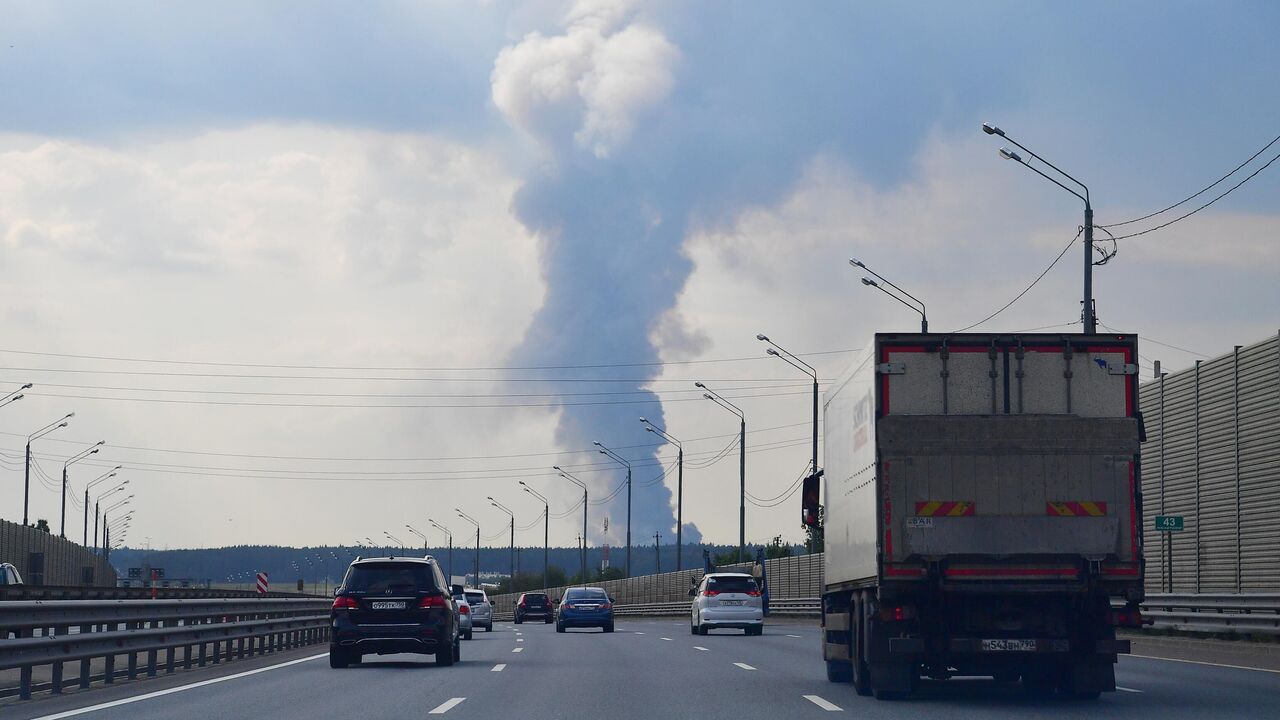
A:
(646, 669)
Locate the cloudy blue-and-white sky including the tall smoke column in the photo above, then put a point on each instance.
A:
(318, 274)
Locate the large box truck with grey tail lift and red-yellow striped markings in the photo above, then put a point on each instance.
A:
(984, 512)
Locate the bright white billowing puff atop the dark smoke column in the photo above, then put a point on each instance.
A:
(589, 85)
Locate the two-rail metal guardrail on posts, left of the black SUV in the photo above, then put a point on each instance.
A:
(38, 634)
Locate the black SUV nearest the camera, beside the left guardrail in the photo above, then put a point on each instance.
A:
(388, 605)
